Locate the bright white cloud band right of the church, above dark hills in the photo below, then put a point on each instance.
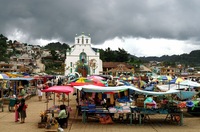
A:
(149, 47)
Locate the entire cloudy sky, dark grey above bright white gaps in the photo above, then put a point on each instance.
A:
(141, 27)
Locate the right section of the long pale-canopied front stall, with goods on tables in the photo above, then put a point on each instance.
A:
(161, 103)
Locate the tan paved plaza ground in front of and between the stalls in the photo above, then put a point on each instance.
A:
(155, 124)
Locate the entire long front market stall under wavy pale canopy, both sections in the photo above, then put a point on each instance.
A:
(122, 107)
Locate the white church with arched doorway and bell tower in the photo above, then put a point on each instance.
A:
(82, 58)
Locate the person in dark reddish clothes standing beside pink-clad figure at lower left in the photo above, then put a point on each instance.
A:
(22, 110)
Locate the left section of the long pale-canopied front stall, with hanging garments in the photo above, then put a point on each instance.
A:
(99, 102)
